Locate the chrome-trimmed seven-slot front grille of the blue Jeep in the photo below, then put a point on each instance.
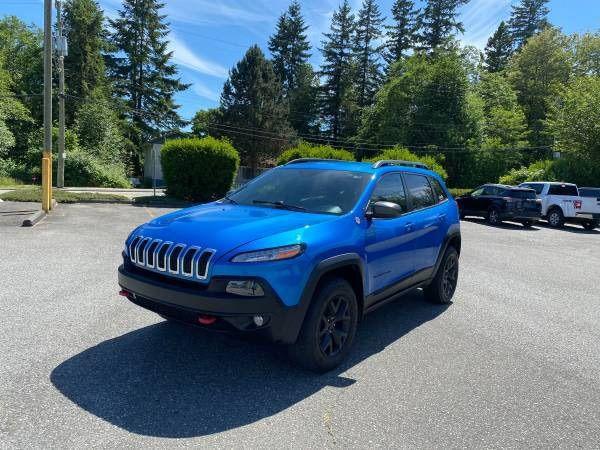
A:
(168, 257)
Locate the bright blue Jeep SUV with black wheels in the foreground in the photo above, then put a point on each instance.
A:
(300, 253)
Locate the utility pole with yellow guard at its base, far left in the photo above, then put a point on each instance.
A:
(47, 151)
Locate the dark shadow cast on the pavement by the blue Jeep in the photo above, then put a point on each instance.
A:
(170, 380)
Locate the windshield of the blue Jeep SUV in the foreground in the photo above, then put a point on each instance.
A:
(305, 190)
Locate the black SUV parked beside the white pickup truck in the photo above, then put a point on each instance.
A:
(498, 202)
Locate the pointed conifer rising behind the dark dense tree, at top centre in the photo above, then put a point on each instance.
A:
(289, 46)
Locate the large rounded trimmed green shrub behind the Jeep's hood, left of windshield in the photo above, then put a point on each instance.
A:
(199, 169)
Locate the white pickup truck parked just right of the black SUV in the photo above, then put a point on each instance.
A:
(562, 203)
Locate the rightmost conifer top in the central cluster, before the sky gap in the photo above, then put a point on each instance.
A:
(438, 23)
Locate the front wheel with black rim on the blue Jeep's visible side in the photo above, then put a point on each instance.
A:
(329, 327)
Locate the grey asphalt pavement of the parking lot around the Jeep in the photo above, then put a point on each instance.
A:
(513, 362)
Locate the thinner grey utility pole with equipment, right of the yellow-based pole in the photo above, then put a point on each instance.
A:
(61, 48)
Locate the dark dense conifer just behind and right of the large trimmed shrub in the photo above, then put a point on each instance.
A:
(252, 101)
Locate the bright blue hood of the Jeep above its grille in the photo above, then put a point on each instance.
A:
(224, 227)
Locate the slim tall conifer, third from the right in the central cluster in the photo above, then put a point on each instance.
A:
(367, 52)
